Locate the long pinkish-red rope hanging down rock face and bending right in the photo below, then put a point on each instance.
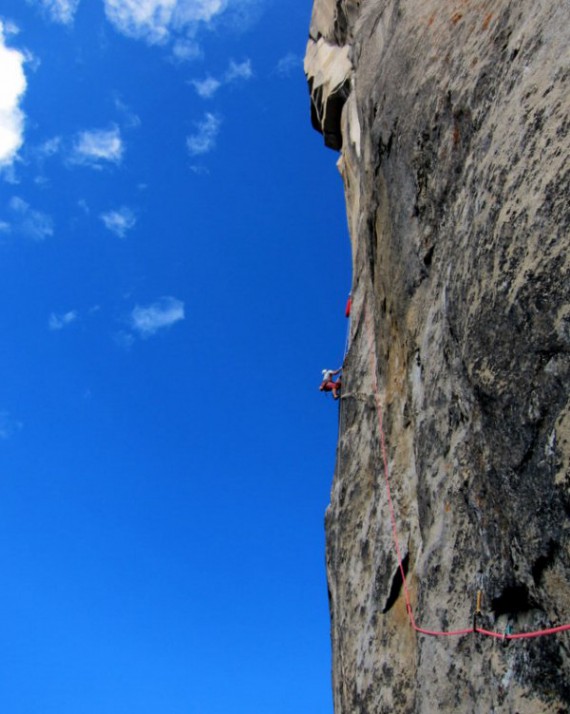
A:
(417, 628)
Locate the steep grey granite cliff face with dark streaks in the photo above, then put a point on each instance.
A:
(453, 120)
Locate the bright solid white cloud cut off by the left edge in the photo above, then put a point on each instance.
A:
(12, 89)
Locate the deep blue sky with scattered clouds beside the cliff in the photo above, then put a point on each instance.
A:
(175, 267)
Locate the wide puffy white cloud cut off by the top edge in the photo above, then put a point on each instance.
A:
(157, 20)
